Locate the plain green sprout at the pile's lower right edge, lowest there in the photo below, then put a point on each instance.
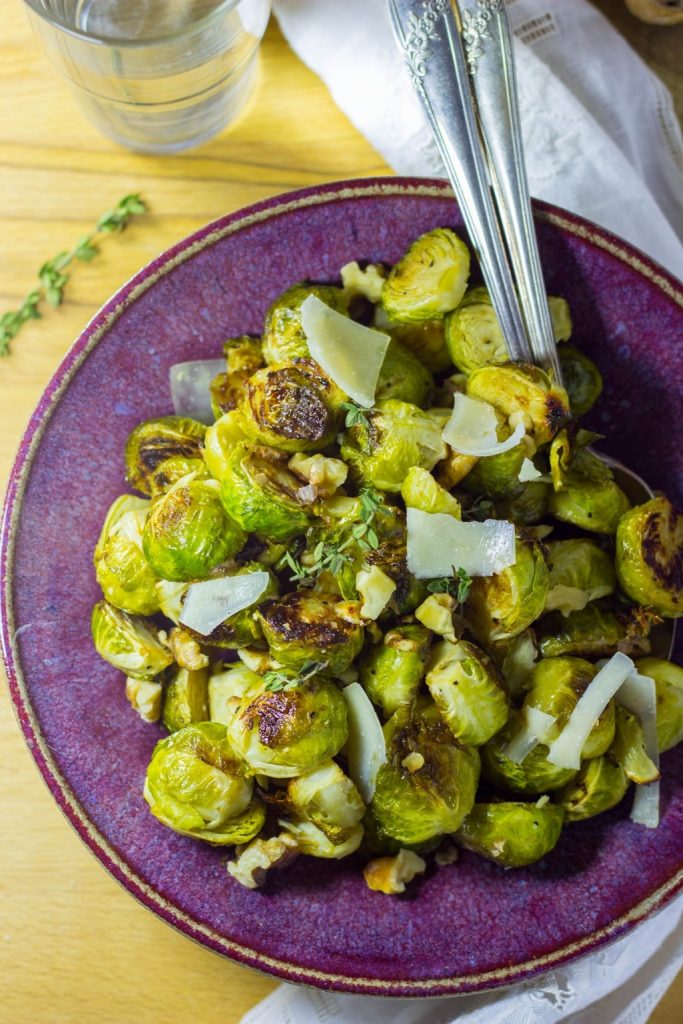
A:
(513, 835)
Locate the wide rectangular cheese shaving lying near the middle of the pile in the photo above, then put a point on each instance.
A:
(437, 543)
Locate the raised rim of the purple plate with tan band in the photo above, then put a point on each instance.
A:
(20, 699)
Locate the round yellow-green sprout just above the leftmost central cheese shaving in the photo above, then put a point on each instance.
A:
(188, 532)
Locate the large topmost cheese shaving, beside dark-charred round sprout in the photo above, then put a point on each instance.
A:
(351, 354)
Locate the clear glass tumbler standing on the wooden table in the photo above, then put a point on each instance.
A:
(157, 76)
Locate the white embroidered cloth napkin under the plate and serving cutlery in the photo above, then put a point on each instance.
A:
(603, 140)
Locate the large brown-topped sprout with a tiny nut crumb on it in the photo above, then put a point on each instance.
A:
(414, 806)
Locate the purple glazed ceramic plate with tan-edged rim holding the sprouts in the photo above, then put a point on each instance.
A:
(464, 928)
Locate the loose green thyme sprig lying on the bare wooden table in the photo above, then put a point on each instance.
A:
(53, 276)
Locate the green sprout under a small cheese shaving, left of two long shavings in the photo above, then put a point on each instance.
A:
(535, 776)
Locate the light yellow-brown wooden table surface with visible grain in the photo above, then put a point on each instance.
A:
(74, 947)
